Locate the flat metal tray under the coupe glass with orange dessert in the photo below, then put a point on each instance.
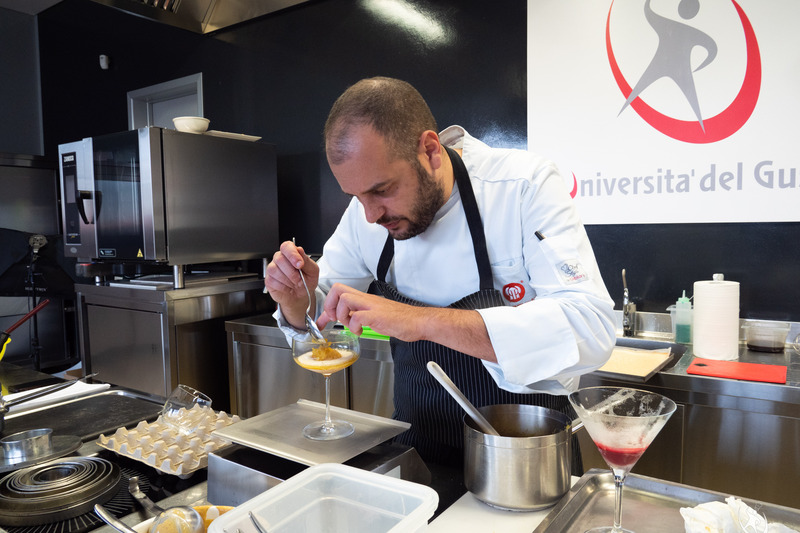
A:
(280, 432)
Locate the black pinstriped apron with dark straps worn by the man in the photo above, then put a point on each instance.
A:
(435, 417)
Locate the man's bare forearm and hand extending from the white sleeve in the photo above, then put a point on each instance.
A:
(460, 329)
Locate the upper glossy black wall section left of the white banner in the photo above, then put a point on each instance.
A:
(277, 77)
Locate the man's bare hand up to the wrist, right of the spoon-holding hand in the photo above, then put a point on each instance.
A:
(356, 309)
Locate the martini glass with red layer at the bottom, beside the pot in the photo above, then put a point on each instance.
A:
(622, 423)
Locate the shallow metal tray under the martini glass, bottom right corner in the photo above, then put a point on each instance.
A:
(649, 505)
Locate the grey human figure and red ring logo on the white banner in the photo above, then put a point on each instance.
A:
(672, 59)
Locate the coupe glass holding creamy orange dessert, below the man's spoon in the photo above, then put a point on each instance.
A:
(340, 351)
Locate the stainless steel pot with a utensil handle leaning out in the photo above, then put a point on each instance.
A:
(528, 467)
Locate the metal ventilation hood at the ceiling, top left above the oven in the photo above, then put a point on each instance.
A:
(201, 16)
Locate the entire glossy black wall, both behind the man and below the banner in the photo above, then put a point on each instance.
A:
(277, 76)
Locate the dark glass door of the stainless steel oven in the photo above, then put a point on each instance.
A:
(129, 200)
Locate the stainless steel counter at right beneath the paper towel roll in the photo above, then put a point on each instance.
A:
(733, 436)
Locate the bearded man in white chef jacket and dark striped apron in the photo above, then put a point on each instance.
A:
(470, 256)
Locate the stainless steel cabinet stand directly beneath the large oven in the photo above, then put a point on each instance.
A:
(152, 337)
